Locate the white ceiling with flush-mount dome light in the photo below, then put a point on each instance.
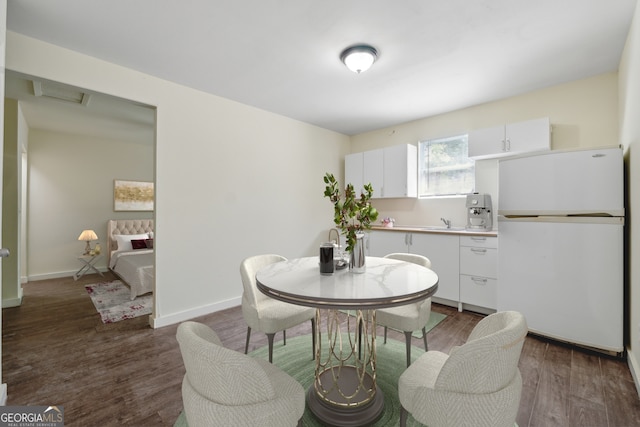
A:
(283, 56)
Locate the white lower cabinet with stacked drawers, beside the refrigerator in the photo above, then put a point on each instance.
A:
(479, 271)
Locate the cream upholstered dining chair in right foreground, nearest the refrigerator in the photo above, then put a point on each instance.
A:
(477, 384)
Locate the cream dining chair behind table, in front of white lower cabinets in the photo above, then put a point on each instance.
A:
(407, 318)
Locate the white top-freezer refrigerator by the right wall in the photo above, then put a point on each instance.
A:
(561, 244)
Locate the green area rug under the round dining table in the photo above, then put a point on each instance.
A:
(295, 359)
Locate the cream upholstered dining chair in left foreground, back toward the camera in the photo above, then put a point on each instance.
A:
(225, 388)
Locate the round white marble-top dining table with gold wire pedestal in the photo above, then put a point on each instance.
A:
(344, 392)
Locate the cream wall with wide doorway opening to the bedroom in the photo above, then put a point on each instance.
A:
(231, 180)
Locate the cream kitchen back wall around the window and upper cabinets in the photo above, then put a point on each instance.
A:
(583, 114)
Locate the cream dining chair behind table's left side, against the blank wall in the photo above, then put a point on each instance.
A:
(265, 314)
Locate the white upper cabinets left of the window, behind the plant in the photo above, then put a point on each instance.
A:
(392, 171)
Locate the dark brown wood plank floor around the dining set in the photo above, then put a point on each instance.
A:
(56, 351)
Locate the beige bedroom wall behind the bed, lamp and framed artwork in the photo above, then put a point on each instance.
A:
(71, 189)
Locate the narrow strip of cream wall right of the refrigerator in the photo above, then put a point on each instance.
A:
(630, 137)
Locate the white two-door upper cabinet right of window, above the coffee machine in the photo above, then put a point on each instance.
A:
(511, 139)
